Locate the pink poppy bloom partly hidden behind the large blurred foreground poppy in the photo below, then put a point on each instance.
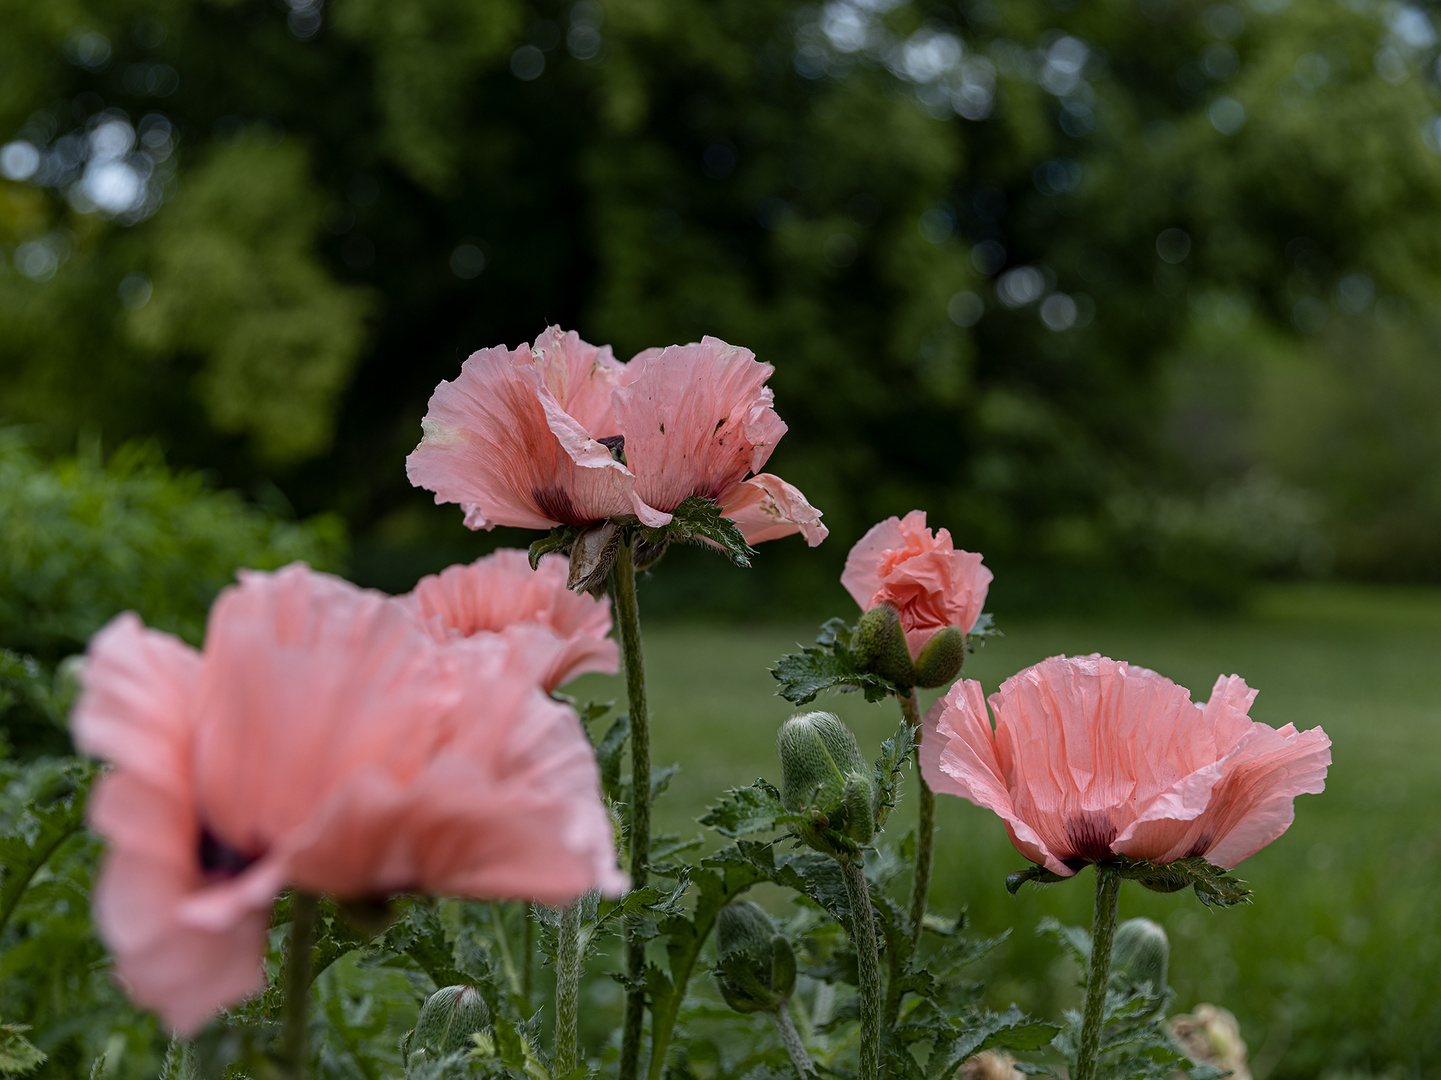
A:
(501, 595)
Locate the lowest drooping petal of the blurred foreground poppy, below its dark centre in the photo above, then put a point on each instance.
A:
(181, 971)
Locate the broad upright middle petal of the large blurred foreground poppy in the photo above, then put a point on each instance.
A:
(305, 680)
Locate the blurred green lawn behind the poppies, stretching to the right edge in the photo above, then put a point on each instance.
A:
(1337, 968)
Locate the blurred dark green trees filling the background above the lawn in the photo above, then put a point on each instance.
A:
(982, 244)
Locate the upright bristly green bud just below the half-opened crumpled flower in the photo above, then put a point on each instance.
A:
(826, 779)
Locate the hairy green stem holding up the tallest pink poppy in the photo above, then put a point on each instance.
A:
(628, 616)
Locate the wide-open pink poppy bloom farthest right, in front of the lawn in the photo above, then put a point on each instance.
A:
(1094, 758)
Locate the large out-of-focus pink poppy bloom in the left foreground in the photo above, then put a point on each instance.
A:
(322, 740)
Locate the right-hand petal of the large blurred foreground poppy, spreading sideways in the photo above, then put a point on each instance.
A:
(514, 810)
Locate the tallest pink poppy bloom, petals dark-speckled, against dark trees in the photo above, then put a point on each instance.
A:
(560, 433)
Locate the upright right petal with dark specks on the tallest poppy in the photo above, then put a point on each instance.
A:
(697, 420)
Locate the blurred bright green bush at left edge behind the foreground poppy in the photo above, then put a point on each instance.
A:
(83, 540)
